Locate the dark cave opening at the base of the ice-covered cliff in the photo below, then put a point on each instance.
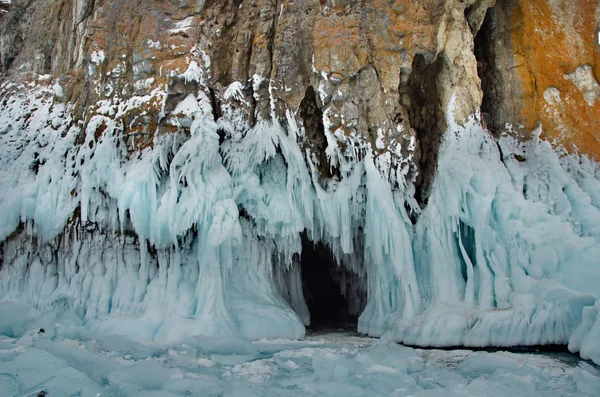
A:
(334, 295)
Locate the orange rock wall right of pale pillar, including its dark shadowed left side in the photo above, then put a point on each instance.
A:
(541, 62)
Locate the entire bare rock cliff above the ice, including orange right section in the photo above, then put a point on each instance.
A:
(383, 71)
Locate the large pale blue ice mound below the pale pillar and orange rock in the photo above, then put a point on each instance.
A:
(501, 268)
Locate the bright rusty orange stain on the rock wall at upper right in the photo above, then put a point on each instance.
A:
(551, 39)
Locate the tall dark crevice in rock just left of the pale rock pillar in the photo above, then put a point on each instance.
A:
(426, 117)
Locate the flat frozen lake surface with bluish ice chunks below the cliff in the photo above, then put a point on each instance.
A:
(324, 364)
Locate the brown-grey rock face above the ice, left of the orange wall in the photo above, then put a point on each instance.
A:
(383, 71)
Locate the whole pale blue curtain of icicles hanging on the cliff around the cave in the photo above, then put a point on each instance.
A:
(200, 233)
